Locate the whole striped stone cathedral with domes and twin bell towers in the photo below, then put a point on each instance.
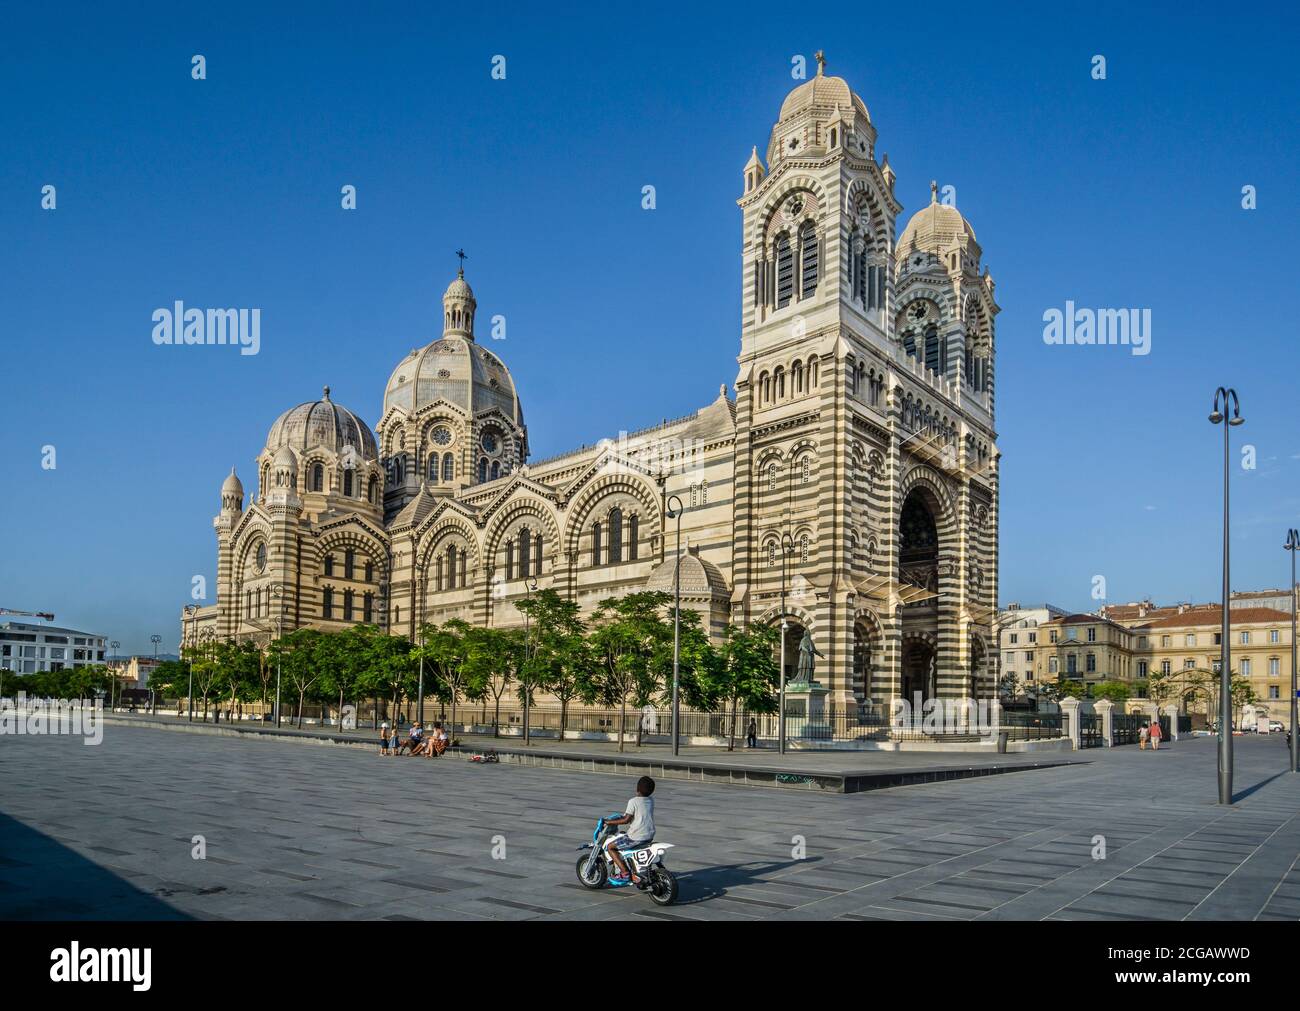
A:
(853, 475)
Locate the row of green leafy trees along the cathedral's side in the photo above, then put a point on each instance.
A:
(622, 657)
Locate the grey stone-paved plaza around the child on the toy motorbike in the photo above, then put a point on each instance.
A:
(296, 831)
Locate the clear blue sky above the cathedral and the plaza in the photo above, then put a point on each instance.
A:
(1119, 193)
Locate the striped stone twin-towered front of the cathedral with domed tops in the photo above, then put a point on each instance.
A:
(865, 458)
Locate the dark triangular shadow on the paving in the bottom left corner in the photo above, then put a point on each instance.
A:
(41, 879)
